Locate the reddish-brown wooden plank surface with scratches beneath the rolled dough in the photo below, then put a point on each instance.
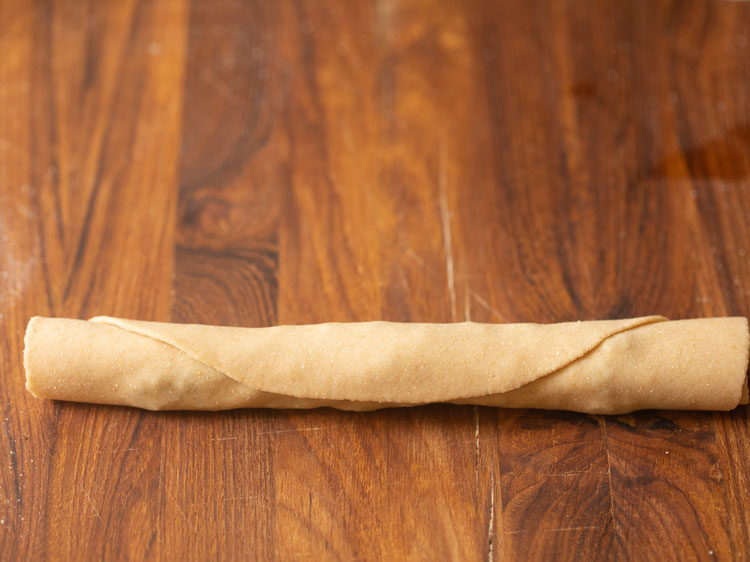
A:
(254, 163)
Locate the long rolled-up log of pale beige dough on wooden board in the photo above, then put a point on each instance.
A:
(602, 367)
